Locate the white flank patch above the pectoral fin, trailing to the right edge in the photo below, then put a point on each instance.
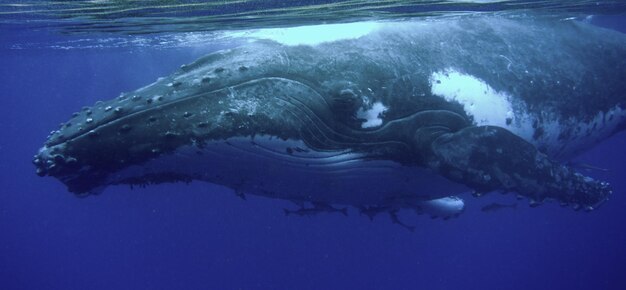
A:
(490, 107)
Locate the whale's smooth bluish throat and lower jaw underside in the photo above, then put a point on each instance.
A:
(289, 169)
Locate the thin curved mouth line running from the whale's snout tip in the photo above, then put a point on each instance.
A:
(59, 141)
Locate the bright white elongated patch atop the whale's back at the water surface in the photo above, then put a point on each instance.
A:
(311, 34)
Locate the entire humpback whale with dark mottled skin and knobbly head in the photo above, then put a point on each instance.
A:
(401, 117)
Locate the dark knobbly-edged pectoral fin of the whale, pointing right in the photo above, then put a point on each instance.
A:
(489, 158)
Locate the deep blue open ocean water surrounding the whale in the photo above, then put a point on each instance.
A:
(201, 236)
